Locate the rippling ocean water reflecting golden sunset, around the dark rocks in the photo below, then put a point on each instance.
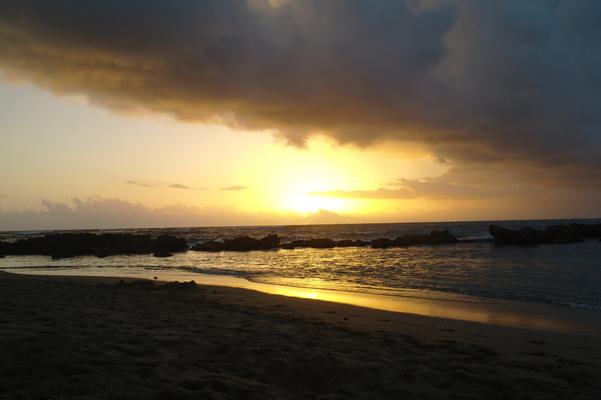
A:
(561, 275)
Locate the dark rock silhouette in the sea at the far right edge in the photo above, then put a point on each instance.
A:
(555, 234)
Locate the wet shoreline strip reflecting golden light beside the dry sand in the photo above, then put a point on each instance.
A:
(498, 312)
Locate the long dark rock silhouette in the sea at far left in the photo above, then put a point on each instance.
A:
(65, 245)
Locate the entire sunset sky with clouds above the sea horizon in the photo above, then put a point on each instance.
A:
(245, 112)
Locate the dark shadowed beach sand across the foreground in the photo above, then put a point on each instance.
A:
(96, 338)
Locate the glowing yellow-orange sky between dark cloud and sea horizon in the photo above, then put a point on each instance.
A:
(60, 148)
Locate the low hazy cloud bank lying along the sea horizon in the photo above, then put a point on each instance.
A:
(106, 213)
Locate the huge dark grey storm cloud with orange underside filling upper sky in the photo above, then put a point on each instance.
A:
(515, 84)
